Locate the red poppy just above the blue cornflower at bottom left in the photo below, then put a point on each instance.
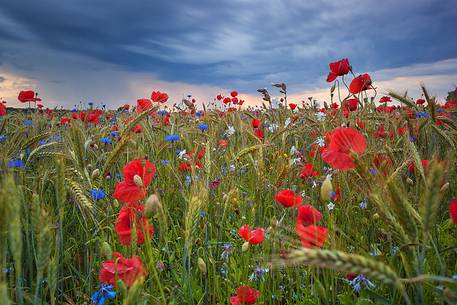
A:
(127, 270)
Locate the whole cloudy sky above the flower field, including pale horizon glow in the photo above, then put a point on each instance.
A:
(114, 52)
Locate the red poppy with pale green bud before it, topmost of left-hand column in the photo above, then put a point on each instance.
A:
(128, 190)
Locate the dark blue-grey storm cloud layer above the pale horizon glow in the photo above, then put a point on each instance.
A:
(236, 43)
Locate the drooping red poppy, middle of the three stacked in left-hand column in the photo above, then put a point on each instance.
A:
(129, 214)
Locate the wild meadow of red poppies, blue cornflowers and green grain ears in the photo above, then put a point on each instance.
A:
(348, 201)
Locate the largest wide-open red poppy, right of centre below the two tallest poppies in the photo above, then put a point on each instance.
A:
(343, 143)
